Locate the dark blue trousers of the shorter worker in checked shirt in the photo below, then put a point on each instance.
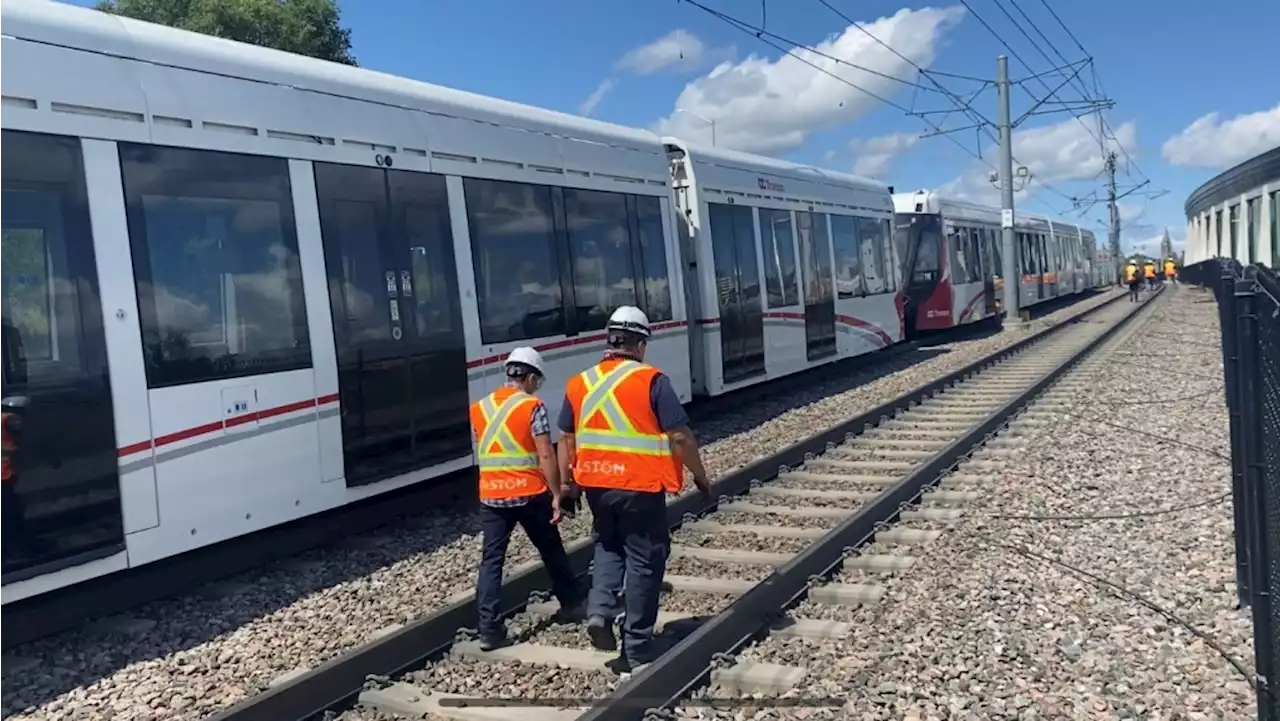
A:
(536, 518)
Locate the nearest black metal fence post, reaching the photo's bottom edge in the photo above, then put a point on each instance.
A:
(1259, 499)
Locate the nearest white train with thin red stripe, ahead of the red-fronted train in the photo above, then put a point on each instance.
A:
(240, 288)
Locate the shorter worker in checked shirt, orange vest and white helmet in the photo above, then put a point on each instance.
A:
(519, 485)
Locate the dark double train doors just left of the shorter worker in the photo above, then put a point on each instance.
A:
(397, 321)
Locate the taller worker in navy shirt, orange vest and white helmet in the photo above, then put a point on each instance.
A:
(625, 435)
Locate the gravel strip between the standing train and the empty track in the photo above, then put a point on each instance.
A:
(207, 654)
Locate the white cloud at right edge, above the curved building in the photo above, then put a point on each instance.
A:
(1212, 144)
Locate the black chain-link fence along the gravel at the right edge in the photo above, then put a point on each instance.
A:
(1249, 303)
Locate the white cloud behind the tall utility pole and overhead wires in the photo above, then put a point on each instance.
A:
(1054, 154)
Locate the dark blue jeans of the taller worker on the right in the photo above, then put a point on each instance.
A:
(633, 544)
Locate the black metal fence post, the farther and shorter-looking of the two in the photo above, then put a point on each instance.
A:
(1224, 290)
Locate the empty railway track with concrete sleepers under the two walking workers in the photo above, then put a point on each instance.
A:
(836, 517)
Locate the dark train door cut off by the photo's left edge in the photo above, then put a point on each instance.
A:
(60, 473)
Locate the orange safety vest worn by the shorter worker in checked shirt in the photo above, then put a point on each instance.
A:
(505, 445)
